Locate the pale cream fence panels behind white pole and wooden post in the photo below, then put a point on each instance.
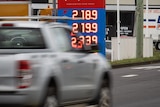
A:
(128, 48)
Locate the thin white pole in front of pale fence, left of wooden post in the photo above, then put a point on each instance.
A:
(118, 30)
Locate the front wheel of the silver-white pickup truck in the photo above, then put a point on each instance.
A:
(104, 96)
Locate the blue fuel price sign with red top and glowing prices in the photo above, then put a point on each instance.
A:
(92, 25)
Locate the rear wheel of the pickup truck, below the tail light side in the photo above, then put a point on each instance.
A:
(51, 99)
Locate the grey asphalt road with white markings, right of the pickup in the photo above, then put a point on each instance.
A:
(137, 86)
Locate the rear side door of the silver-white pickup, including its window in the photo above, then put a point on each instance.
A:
(70, 65)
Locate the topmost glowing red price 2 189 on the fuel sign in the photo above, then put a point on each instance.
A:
(85, 14)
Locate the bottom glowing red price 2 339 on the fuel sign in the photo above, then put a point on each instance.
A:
(87, 40)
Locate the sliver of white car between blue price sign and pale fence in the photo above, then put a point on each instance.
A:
(108, 49)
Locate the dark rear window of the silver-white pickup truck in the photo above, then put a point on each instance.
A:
(21, 38)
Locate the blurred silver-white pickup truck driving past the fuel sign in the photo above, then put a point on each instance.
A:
(39, 67)
